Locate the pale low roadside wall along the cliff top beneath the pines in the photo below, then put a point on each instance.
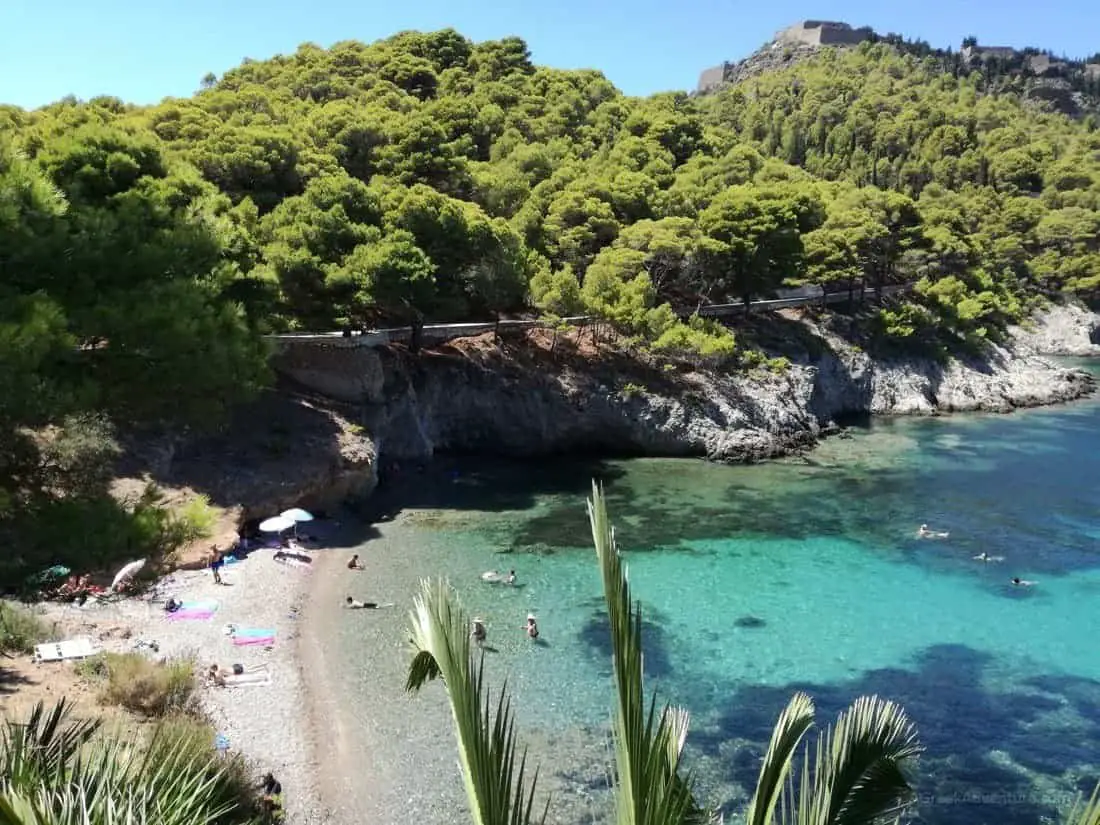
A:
(442, 333)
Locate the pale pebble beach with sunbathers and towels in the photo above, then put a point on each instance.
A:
(269, 724)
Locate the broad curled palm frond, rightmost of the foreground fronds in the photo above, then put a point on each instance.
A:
(860, 768)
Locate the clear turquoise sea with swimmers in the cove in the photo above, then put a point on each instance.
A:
(756, 582)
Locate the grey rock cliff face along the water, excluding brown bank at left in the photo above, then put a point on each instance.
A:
(519, 401)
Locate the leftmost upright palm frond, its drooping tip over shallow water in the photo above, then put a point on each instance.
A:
(496, 779)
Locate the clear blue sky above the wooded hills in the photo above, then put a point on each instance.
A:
(144, 51)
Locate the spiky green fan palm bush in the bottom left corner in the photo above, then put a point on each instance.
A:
(59, 772)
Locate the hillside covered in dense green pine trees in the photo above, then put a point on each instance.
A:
(426, 178)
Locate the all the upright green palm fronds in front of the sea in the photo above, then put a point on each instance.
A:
(855, 775)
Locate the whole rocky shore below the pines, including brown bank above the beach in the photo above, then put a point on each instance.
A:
(342, 411)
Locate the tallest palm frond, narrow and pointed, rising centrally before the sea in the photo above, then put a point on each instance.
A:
(650, 789)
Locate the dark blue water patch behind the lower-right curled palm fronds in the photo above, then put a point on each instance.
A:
(981, 744)
